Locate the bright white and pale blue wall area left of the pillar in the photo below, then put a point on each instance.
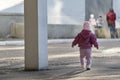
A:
(11, 6)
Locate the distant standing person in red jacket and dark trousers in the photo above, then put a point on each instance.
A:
(111, 17)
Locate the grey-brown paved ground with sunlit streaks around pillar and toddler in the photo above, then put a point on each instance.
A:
(63, 63)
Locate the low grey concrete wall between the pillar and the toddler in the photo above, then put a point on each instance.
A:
(63, 30)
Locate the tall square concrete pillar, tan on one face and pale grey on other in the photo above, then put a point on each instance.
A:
(36, 52)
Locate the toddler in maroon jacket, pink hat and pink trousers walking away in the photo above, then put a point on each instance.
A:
(85, 39)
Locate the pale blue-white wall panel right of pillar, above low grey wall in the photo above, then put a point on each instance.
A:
(66, 11)
